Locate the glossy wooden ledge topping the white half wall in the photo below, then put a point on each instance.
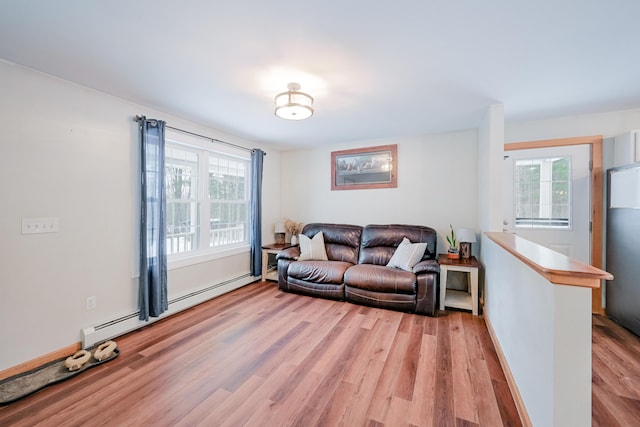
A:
(557, 268)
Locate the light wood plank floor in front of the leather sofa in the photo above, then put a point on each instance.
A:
(261, 357)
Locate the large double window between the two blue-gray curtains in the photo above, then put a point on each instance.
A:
(207, 197)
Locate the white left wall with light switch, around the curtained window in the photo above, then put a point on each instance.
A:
(68, 152)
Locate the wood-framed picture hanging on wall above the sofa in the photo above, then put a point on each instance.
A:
(365, 168)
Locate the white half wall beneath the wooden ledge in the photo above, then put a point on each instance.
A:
(544, 332)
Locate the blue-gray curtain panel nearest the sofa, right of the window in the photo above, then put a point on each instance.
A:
(255, 220)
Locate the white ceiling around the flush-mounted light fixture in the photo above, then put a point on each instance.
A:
(376, 68)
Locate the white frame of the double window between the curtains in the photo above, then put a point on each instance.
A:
(205, 148)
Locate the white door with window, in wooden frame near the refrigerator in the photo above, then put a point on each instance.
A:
(547, 198)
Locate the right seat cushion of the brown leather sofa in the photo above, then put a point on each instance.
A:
(380, 279)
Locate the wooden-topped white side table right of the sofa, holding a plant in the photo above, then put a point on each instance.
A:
(454, 298)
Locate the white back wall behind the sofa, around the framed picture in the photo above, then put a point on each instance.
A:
(436, 185)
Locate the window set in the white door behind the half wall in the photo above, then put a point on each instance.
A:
(542, 193)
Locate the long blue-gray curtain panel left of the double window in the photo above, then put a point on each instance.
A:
(153, 256)
